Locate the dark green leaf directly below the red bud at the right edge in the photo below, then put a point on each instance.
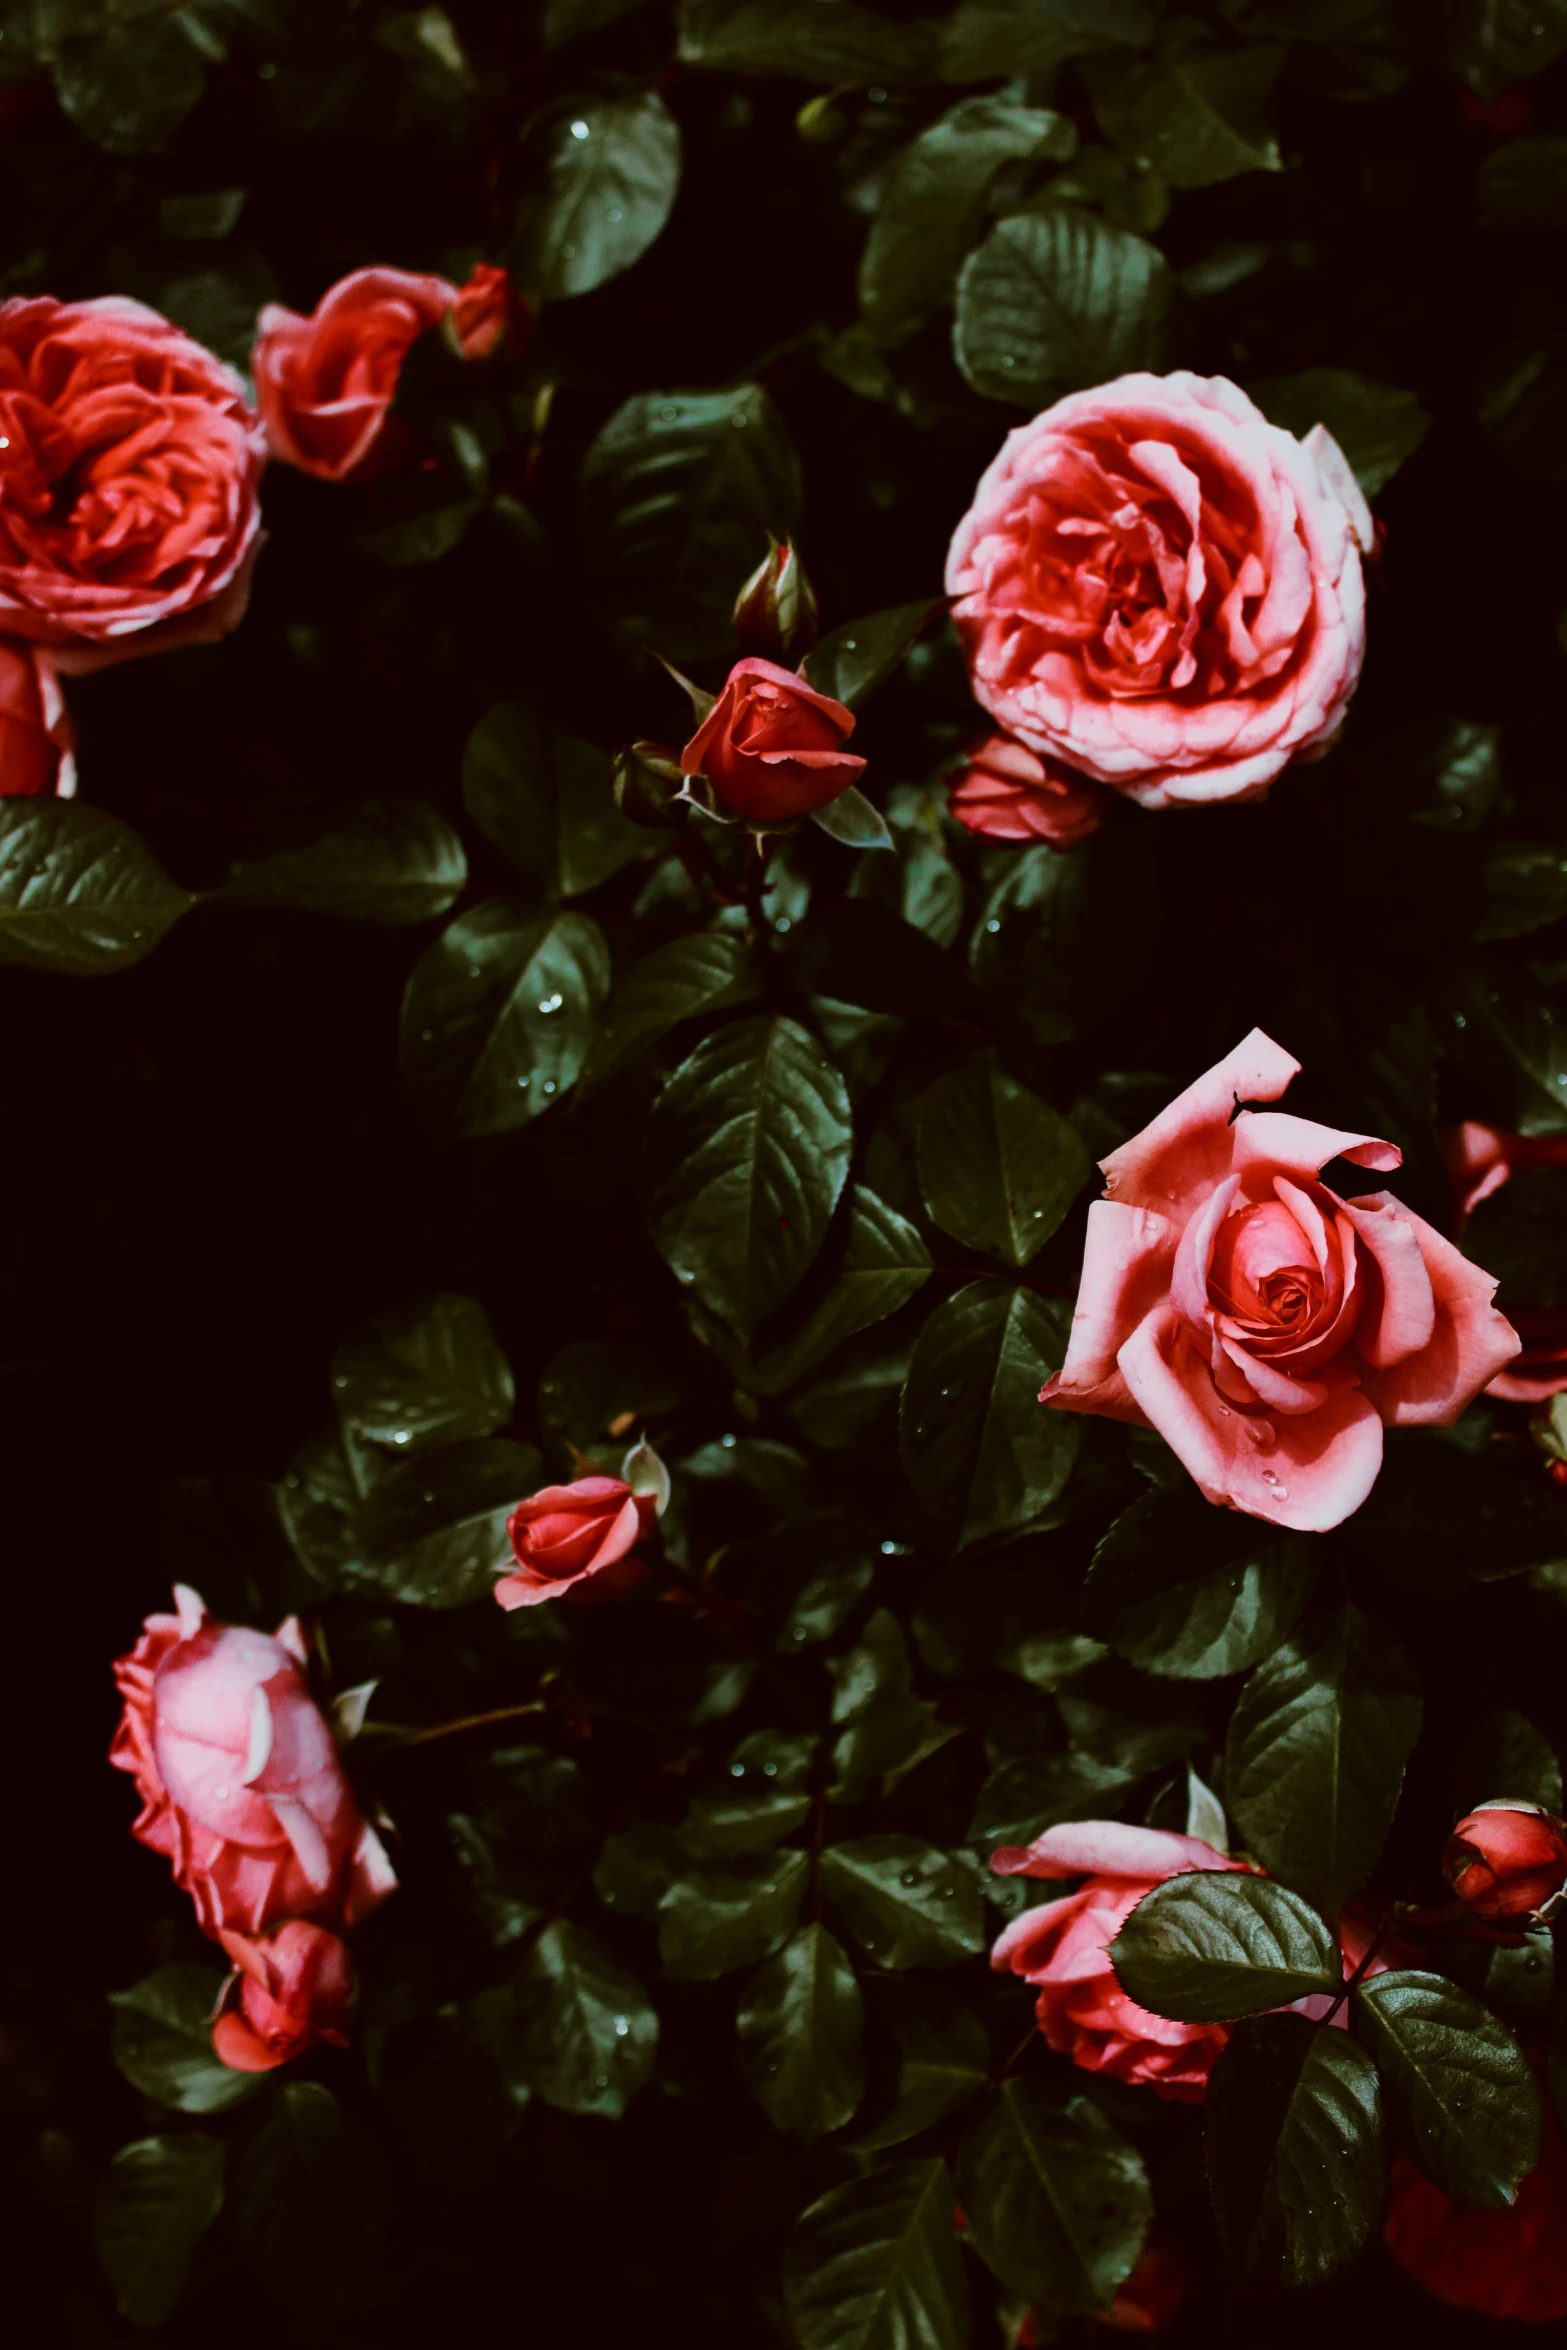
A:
(1460, 2088)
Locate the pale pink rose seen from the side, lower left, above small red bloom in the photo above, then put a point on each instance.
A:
(238, 1775)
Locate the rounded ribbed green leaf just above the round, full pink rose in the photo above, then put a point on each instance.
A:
(1058, 300)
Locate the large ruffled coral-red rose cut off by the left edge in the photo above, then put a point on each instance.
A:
(130, 469)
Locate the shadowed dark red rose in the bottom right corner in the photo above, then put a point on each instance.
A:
(1498, 2264)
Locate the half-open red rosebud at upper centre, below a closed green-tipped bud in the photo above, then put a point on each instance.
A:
(769, 746)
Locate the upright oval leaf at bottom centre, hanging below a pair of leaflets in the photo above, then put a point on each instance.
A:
(800, 2036)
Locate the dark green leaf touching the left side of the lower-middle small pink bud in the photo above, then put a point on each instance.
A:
(436, 1529)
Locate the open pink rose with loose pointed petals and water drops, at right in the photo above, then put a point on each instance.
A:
(1263, 1324)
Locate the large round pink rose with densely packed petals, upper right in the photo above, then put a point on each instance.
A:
(1162, 589)
